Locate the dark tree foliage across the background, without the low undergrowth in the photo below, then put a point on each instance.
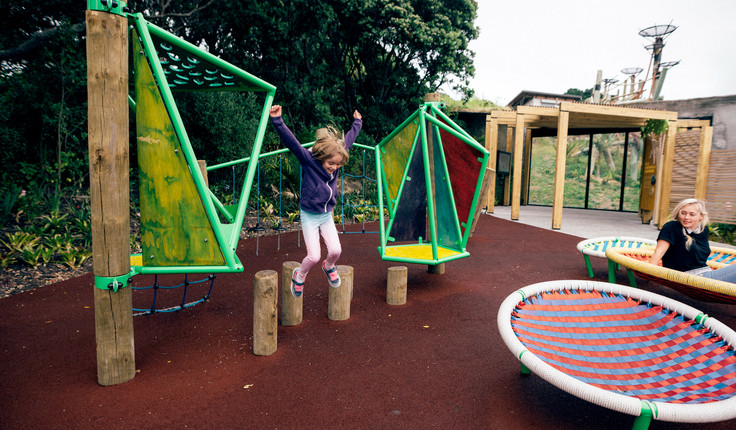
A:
(326, 58)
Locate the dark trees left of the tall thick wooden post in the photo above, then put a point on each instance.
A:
(42, 84)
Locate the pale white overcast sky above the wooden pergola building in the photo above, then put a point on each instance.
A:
(553, 45)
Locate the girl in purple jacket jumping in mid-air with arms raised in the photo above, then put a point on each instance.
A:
(320, 167)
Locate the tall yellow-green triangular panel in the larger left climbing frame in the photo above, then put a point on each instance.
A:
(175, 230)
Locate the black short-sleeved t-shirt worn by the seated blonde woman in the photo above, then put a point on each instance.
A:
(677, 256)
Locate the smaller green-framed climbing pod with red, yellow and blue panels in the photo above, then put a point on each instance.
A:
(431, 172)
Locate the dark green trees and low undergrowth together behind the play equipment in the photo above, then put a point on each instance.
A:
(326, 58)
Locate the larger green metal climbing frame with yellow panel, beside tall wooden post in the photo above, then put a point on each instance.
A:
(181, 231)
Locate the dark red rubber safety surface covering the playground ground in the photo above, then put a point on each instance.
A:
(435, 362)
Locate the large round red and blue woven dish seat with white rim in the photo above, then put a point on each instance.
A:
(626, 349)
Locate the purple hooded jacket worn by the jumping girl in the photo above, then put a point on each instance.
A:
(319, 188)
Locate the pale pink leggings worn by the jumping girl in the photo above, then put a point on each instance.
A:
(312, 225)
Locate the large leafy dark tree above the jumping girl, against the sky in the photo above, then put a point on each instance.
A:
(328, 58)
